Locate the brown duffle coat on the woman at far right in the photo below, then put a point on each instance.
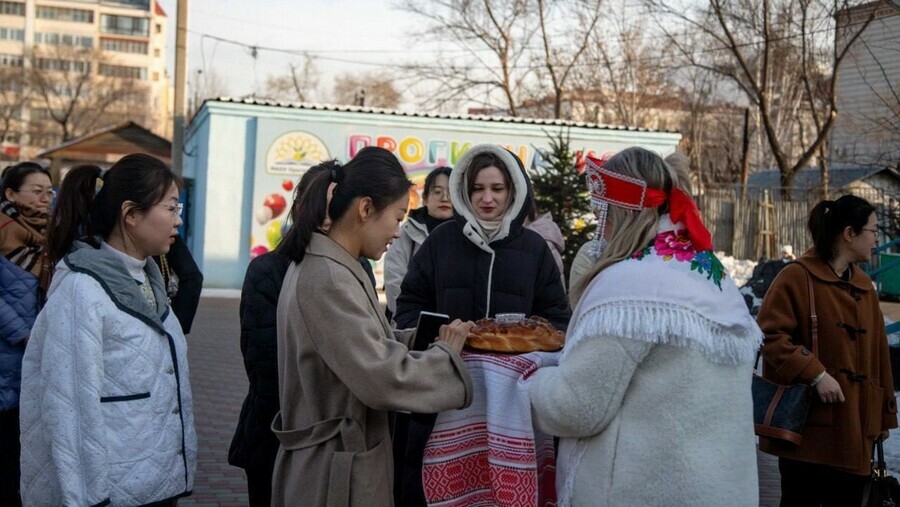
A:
(852, 348)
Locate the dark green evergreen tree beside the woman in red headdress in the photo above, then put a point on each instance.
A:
(560, 188)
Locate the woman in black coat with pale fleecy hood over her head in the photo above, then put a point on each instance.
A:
(484, 263)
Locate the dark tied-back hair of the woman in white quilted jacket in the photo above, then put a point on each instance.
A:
(83, 212)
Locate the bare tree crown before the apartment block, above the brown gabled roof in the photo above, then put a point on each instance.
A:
(77, 90)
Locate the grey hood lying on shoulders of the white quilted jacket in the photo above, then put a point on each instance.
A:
(118, 284)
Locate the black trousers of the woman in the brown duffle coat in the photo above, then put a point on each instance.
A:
(812, 485)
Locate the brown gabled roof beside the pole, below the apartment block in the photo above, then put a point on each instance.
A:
(111, 143)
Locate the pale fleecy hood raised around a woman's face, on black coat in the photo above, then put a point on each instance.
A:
(516, 211)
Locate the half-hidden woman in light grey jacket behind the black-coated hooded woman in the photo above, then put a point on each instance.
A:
(436, 209)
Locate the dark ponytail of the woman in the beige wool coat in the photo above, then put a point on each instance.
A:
(308, 211)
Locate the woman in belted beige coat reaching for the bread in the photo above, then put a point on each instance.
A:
(340, 367)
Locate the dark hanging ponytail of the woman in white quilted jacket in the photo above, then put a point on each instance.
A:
(71, 217)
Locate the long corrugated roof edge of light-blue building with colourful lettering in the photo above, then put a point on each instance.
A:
(394, 112)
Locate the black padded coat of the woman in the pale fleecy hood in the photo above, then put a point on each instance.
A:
(450, 274)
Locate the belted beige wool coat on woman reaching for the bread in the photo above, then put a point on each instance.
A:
(340, 370)
